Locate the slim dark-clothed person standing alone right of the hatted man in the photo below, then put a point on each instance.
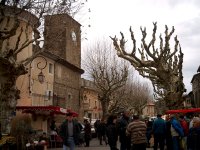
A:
(88, 135)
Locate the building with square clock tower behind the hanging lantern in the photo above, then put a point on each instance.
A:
(60, 64)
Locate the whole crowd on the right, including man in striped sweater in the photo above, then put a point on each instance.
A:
(175, 132)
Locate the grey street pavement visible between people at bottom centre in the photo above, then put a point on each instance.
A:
(94, 145)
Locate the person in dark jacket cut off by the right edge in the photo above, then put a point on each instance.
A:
(193, 139)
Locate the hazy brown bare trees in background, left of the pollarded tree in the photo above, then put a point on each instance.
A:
(133, 96)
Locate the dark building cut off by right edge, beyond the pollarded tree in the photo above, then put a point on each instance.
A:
(196, 88)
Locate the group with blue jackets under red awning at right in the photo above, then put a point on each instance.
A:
(176, 132)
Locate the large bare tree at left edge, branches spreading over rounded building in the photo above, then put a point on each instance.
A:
(21, 25)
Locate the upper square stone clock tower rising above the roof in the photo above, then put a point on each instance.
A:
(59, 40)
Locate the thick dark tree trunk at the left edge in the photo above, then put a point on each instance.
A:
(8, 92)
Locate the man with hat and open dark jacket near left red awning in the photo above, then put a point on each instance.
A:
(69, 132)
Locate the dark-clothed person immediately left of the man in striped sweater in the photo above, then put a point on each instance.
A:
(125, 141)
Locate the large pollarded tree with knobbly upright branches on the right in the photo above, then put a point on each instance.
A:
(162, 65)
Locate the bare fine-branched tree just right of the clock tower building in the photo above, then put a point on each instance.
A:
(108, 73)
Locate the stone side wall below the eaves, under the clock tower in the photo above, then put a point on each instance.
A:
(67, 86)
